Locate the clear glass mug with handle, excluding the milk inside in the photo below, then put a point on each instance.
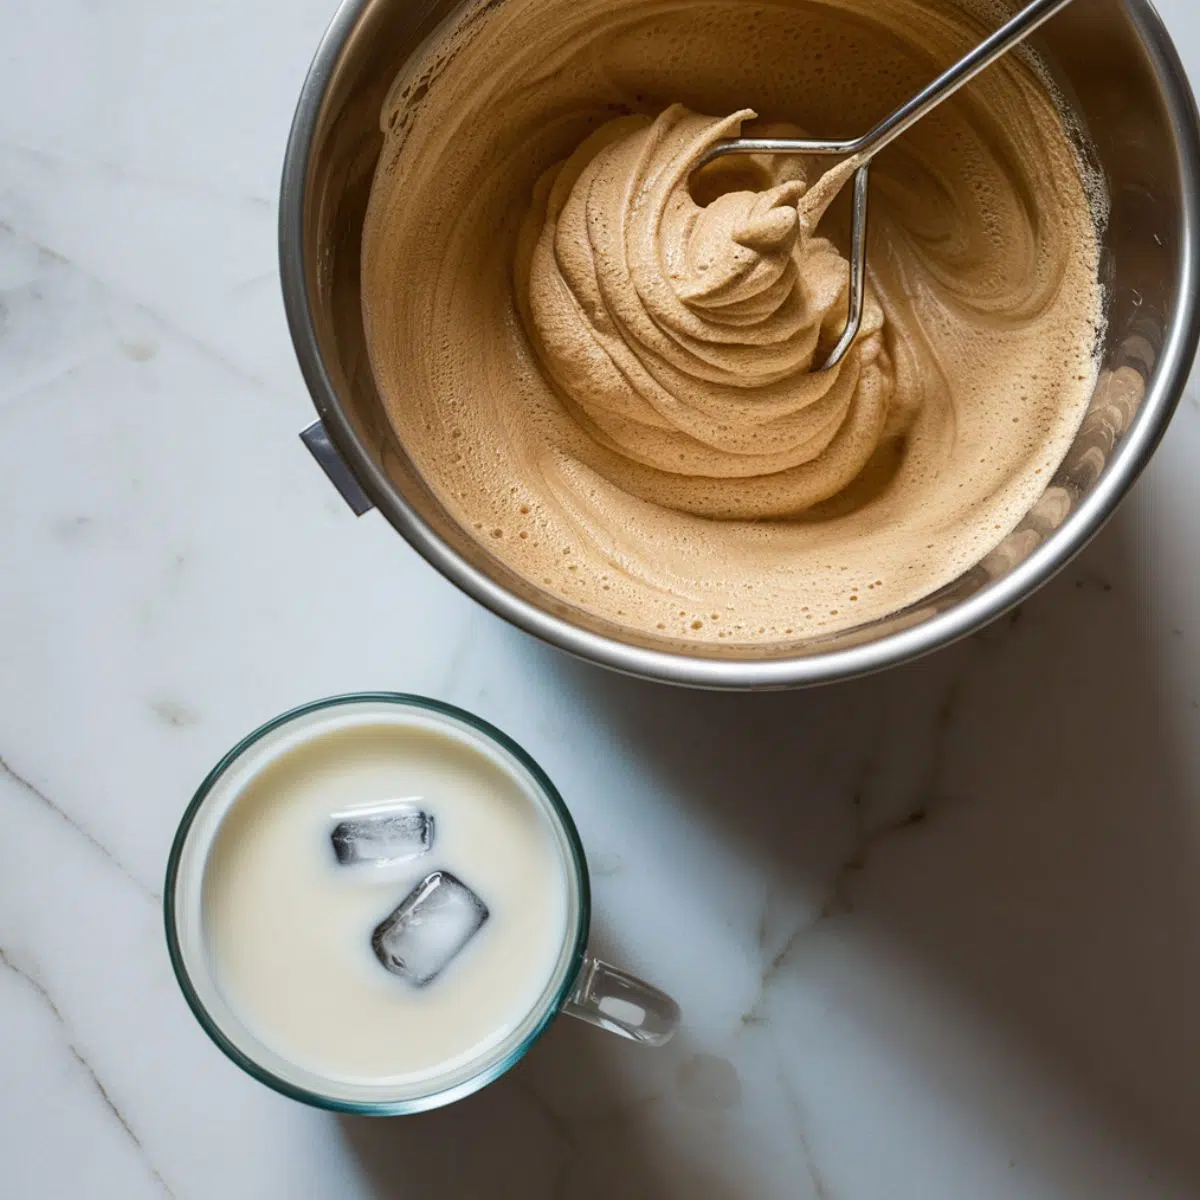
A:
(579, 985)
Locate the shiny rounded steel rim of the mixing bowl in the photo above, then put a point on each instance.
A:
(1163, 394)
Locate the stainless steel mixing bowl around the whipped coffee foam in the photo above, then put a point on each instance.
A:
(1129, 91)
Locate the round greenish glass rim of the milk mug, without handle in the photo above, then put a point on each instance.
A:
(437, 1096)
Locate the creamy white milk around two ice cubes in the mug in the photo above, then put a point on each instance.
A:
(289, 931)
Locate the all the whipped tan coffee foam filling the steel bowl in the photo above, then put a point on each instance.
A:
(605, 373)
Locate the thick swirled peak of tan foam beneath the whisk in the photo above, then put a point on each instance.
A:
(685, 334)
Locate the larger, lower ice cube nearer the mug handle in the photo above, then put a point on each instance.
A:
(429, 928)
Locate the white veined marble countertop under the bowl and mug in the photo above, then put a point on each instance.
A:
(937, 934)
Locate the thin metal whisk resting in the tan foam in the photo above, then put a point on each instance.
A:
(866, 148)
